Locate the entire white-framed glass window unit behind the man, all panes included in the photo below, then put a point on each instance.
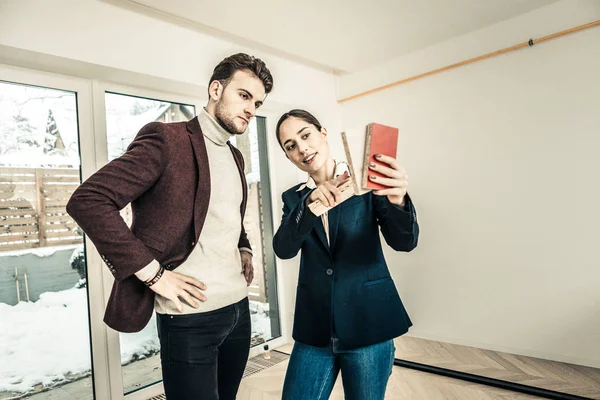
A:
(54, 132)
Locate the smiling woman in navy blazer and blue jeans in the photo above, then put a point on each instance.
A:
(347, 307)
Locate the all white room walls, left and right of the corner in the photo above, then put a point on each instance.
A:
(501, 157)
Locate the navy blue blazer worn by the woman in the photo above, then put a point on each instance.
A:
(346, 287)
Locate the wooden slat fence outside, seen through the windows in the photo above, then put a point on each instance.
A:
(33, 214)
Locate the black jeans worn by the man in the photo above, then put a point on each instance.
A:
(204, 355)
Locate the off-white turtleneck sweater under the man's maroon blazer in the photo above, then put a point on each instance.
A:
(215, 260)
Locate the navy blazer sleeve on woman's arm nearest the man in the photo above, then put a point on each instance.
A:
(296, 224)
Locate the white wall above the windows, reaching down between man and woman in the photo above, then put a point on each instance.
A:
(94, 39)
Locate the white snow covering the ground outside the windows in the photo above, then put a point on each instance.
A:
(47, 342)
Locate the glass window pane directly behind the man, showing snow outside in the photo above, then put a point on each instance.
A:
(125, 115)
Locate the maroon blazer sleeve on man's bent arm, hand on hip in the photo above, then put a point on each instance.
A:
(96, 203)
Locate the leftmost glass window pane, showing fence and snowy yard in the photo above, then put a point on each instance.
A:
(44, 333)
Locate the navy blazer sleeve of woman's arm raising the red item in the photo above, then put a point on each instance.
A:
(398, 225)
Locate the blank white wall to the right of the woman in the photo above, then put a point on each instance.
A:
(503, 163)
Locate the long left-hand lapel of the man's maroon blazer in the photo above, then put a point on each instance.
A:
(203, 191)
